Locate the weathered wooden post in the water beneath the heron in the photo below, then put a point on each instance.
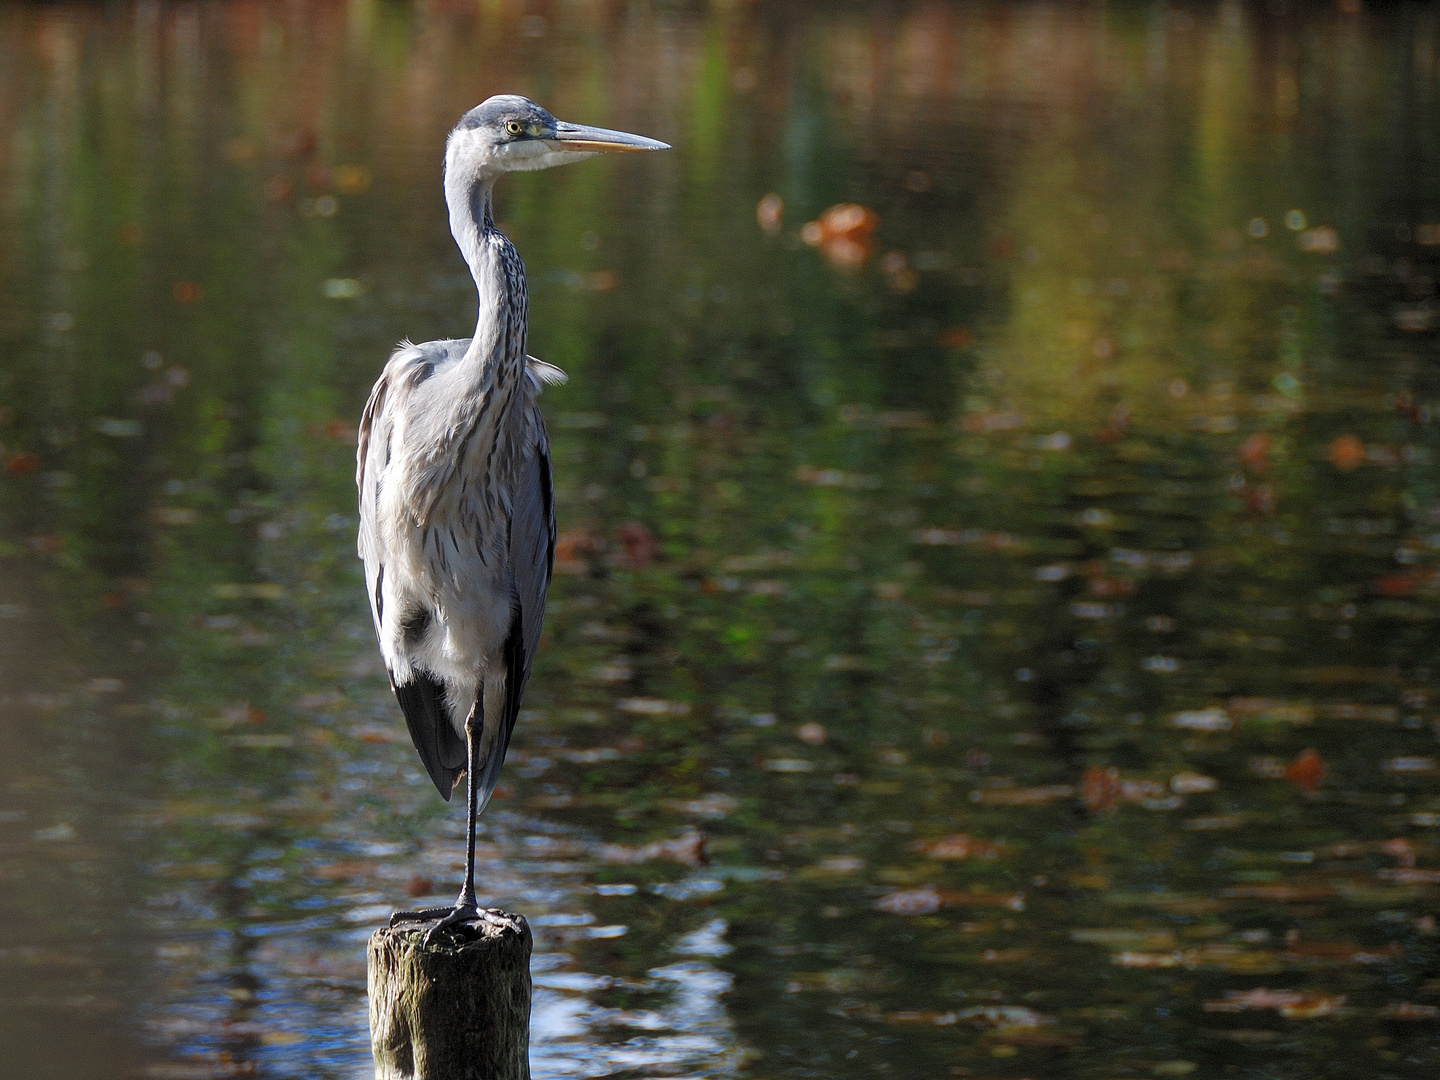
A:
(456, 1010)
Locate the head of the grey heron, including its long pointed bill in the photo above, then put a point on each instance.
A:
(512, 135)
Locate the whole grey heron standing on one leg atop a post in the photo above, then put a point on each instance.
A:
(457, 518)
